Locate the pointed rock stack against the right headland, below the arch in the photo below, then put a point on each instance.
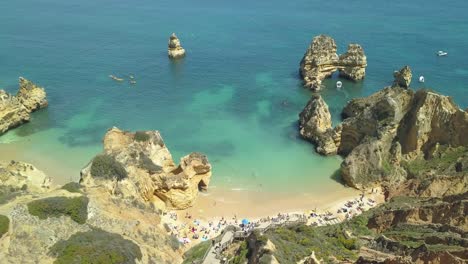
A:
(316, 126)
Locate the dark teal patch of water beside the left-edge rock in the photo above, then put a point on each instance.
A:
(40, 121)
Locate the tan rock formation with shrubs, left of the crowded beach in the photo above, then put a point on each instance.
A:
(138, 166)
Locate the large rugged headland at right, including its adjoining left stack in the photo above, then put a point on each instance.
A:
(383, 134)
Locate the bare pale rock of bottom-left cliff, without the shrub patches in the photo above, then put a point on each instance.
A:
(29, 239)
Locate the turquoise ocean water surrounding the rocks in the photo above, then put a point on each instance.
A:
(236, 96)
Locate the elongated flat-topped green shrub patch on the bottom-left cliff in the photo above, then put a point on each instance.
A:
(76, 208)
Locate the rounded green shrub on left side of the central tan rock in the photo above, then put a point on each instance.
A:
(105, 166)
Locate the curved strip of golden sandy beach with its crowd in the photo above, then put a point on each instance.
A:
(199, 223)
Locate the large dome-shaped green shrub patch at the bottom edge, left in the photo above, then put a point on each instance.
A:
(95, 246)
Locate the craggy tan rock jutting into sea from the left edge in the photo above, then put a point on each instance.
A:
(16, 110)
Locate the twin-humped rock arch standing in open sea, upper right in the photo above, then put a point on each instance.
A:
(321, 61)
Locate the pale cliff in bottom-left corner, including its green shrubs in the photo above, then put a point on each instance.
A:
(42, 219)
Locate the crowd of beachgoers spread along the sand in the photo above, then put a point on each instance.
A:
(191, 230)
